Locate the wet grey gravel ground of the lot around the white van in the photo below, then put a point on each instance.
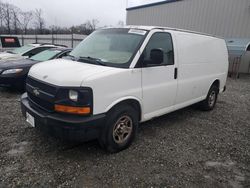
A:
(188, 148)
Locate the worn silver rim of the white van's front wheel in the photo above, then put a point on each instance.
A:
(122, 129)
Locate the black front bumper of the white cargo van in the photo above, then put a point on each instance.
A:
(63, 126)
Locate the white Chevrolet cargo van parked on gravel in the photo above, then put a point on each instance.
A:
(119, 77)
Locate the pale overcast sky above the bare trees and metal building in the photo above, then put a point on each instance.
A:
(75, 12)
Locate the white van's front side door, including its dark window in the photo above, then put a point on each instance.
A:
(159, 75)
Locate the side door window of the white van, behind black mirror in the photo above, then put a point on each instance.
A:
(159, 50)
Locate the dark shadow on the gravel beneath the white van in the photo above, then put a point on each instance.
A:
(66, 148)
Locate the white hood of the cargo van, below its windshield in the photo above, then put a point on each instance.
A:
(68, 73)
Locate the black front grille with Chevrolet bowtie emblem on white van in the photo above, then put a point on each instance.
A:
(45, 97)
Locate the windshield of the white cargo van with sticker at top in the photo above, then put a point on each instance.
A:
(110, 47)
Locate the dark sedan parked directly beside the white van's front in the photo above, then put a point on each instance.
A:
(13, 73)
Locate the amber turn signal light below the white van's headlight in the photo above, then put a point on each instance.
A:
(72, 109)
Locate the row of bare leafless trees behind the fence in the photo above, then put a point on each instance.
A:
(15, 21)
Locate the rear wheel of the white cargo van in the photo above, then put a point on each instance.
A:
(211, 99)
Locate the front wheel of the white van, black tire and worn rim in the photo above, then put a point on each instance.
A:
(114, 128)
